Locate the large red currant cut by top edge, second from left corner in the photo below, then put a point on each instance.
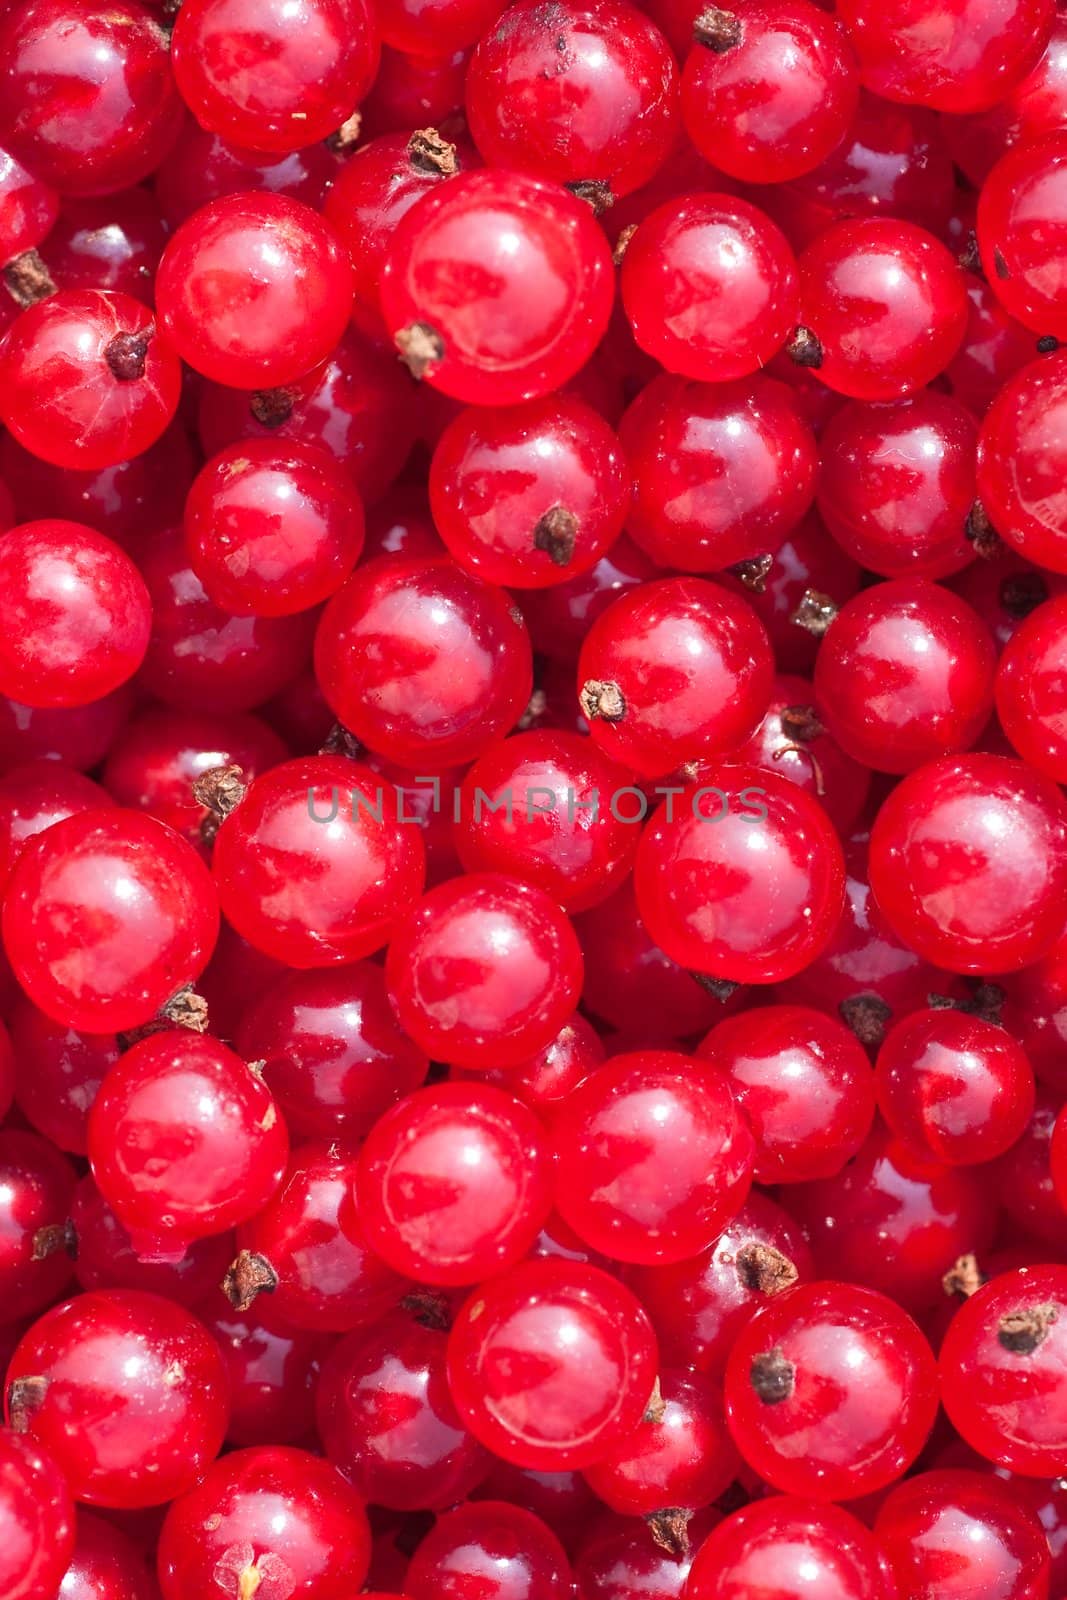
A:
(273, 79)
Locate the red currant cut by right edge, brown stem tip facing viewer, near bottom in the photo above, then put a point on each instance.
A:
(1002, 1370)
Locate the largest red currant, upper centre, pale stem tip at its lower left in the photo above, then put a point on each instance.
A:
(511, 276)
